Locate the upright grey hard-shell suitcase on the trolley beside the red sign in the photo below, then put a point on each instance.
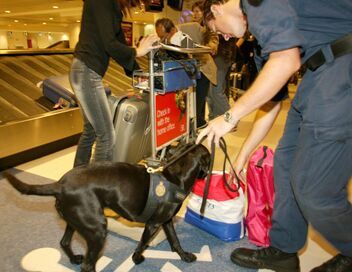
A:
(132, 128)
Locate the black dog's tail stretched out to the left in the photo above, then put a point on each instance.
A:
(51, 189)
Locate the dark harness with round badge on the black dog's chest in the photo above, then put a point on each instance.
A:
(160, 191)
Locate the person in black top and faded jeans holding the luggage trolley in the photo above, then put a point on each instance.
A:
(101, 38)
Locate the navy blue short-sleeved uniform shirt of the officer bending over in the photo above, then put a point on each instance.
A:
(308, 24)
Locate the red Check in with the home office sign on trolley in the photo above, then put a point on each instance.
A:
(170, 117)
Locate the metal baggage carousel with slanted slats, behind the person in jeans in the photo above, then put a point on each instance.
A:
(30, 127)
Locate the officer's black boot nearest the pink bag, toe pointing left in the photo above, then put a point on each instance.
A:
(269, 258)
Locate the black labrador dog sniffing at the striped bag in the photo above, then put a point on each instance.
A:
(83, 193)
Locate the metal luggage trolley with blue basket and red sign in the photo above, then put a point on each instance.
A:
(172, 99)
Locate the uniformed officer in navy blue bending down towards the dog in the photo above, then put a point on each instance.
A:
(313, 161)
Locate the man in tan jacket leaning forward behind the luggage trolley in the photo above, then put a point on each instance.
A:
(165, 29)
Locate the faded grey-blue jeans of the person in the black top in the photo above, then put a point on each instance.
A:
(97, 119)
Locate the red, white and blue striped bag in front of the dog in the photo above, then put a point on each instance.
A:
(224, 210)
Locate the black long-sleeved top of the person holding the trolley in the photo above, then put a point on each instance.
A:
(101, 37)
